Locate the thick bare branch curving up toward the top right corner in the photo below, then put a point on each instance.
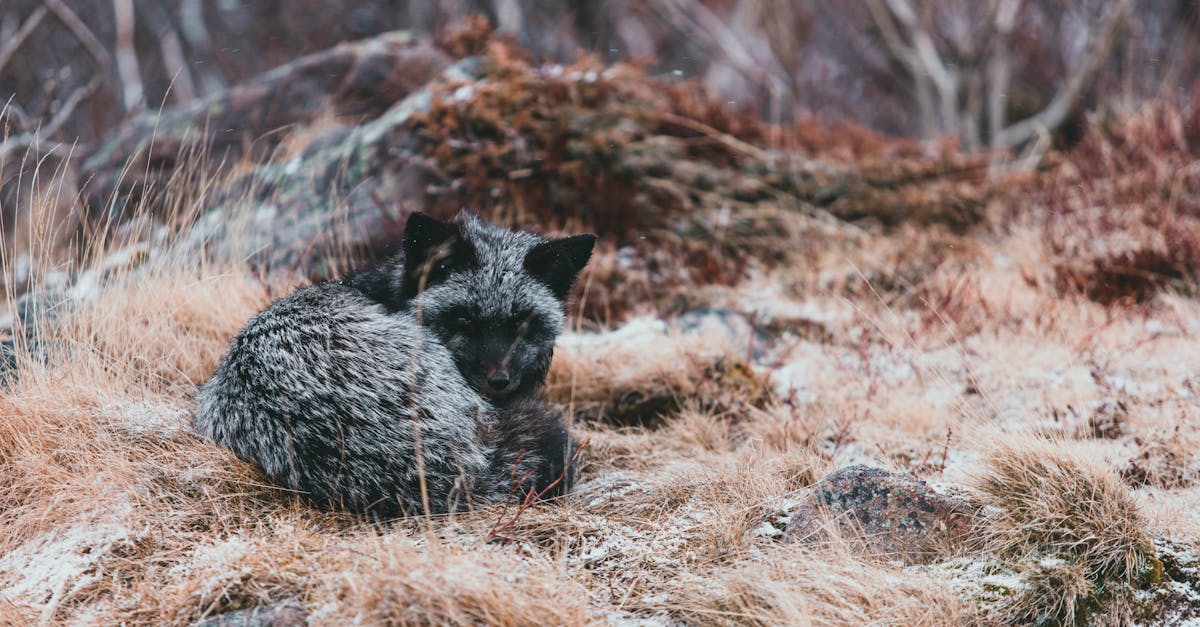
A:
(1053, 116)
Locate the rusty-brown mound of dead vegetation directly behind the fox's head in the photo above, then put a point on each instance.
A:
(683, 193)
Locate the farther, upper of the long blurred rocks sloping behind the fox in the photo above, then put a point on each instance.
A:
(345, 85)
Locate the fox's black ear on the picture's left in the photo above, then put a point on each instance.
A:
(433, 252)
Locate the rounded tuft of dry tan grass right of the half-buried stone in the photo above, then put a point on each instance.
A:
(1073, 526)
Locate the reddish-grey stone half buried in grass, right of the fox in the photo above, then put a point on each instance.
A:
(892, 515)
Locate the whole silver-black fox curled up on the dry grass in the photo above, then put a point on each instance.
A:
(409, 387)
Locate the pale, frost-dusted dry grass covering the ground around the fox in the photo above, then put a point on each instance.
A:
(911, 350)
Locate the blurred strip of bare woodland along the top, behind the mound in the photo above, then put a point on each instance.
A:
(903, 68)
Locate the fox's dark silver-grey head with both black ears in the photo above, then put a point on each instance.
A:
(493, 296)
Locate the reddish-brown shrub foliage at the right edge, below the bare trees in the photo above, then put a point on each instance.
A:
(1123, 210)
